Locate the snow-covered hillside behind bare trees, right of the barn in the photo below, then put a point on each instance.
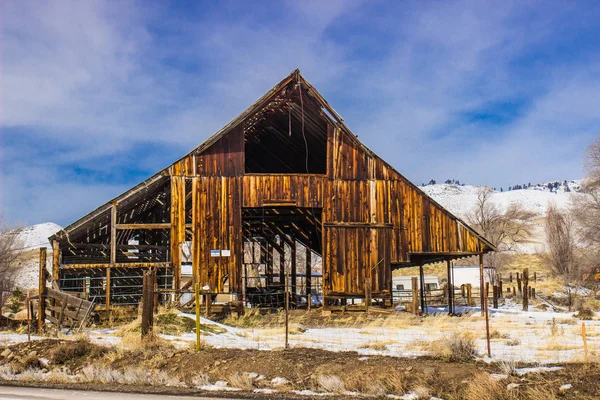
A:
(460, 200)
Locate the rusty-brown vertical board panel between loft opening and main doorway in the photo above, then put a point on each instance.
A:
(299, 190)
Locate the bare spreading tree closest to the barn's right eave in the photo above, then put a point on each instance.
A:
(505, 229)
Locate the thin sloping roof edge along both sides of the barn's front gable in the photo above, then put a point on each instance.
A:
(328, 112)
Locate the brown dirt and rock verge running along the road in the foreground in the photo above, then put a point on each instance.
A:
(302, 369)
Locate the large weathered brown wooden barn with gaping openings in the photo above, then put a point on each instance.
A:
(286, 174)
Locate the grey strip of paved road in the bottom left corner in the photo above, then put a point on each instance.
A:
(24, 393)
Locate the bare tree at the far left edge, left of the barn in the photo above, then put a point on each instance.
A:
(10, 247)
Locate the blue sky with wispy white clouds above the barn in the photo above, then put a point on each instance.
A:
(96, 96)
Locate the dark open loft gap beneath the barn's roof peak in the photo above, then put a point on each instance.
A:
(287, 136)
